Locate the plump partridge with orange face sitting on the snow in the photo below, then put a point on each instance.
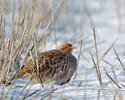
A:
(57, 66)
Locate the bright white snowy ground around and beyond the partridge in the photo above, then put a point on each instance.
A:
(101, 14)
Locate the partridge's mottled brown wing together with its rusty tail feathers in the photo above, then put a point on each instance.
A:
(45, 60)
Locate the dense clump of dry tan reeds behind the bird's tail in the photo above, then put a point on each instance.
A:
(25, 26)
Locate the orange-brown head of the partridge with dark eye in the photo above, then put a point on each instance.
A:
(67, 48)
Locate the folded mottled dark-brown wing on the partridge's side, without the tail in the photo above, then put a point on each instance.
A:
(51, 59)
